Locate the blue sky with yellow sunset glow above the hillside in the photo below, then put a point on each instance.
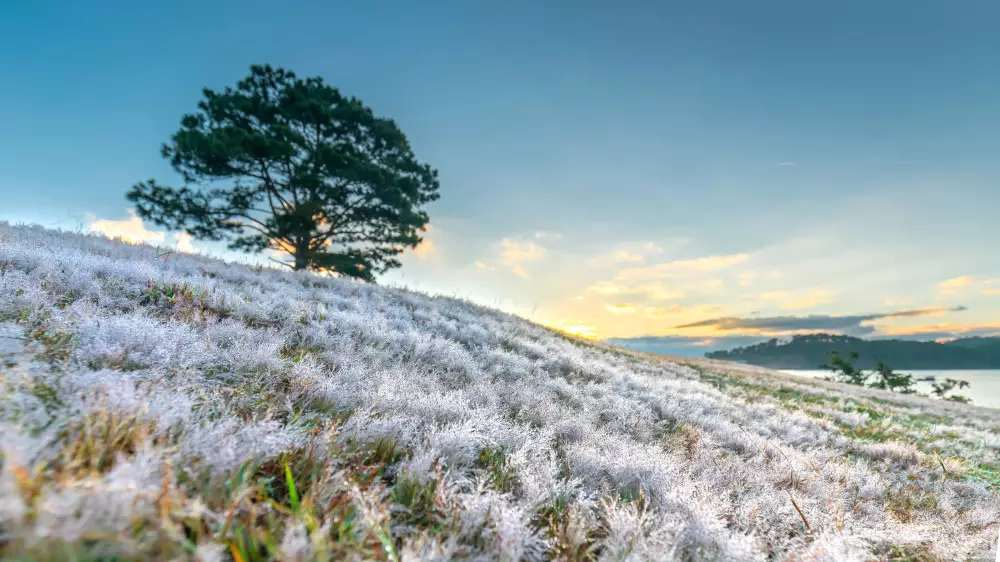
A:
(698, 175)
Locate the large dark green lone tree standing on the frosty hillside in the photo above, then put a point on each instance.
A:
(291, 164)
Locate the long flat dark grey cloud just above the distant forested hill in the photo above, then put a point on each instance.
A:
(854, 324)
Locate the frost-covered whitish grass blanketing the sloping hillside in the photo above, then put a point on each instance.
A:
(176, 407)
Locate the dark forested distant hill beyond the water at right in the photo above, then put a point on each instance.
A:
(811, 351)
